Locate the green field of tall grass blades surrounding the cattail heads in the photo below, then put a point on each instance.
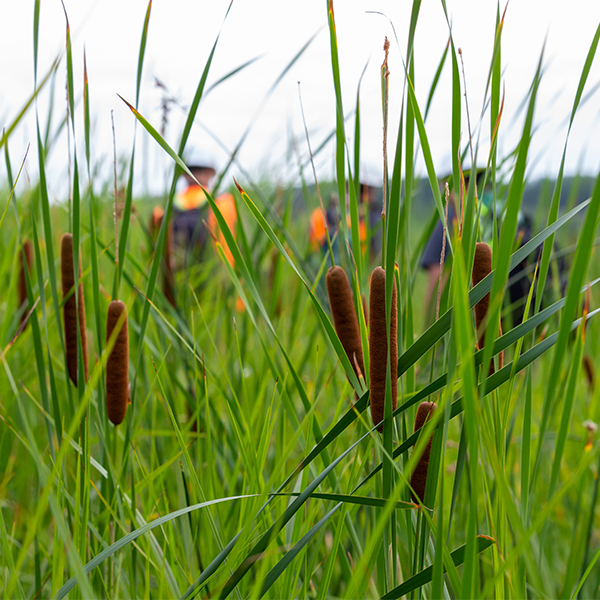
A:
(248, 464)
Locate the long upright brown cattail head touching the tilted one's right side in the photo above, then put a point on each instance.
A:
(378, 349)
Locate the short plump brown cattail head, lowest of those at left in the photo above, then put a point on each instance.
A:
(117, 365)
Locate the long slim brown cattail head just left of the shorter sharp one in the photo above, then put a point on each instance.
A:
(70, 309)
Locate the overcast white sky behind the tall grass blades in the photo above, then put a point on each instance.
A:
(182, 32)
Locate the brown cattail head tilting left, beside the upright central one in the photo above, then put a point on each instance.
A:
(344, 317)
